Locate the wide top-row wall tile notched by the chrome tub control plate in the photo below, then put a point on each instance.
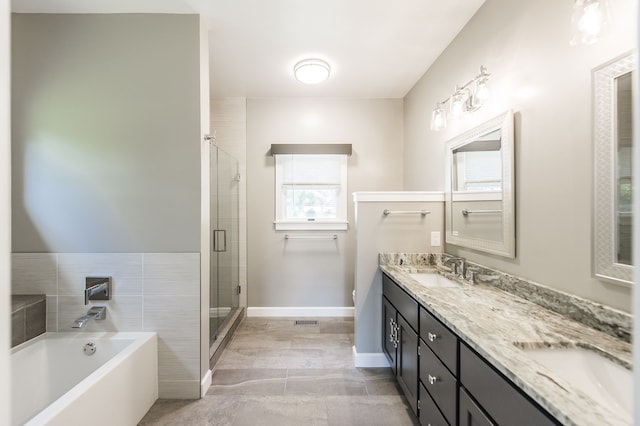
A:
(124, 268)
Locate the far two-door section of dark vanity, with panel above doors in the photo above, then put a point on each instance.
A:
(400, 313)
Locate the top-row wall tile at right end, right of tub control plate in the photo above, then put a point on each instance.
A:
(172, 274)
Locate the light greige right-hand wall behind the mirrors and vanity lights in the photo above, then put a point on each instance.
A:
(525, 46)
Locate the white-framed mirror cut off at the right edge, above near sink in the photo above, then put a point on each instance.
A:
(612, 169)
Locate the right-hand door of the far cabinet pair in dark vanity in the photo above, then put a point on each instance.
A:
(407, 362)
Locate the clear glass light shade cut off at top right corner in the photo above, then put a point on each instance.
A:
(588, 20)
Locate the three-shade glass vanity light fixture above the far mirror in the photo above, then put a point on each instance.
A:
(466, 98)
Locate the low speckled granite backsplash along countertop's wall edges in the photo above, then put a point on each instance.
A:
(595, 315)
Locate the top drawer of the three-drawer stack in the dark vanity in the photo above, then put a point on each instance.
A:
(440, 340)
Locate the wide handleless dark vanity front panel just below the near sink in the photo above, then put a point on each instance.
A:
(497, 396)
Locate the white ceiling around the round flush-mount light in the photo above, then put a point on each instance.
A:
(377, 48)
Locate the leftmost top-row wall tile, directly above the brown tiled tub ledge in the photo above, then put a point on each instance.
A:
(33, 273)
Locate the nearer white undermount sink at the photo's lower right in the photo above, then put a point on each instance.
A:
(597, 376)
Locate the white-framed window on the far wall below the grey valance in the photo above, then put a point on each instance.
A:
(311, 191)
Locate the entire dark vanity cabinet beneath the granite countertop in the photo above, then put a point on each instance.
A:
(444, 380)
